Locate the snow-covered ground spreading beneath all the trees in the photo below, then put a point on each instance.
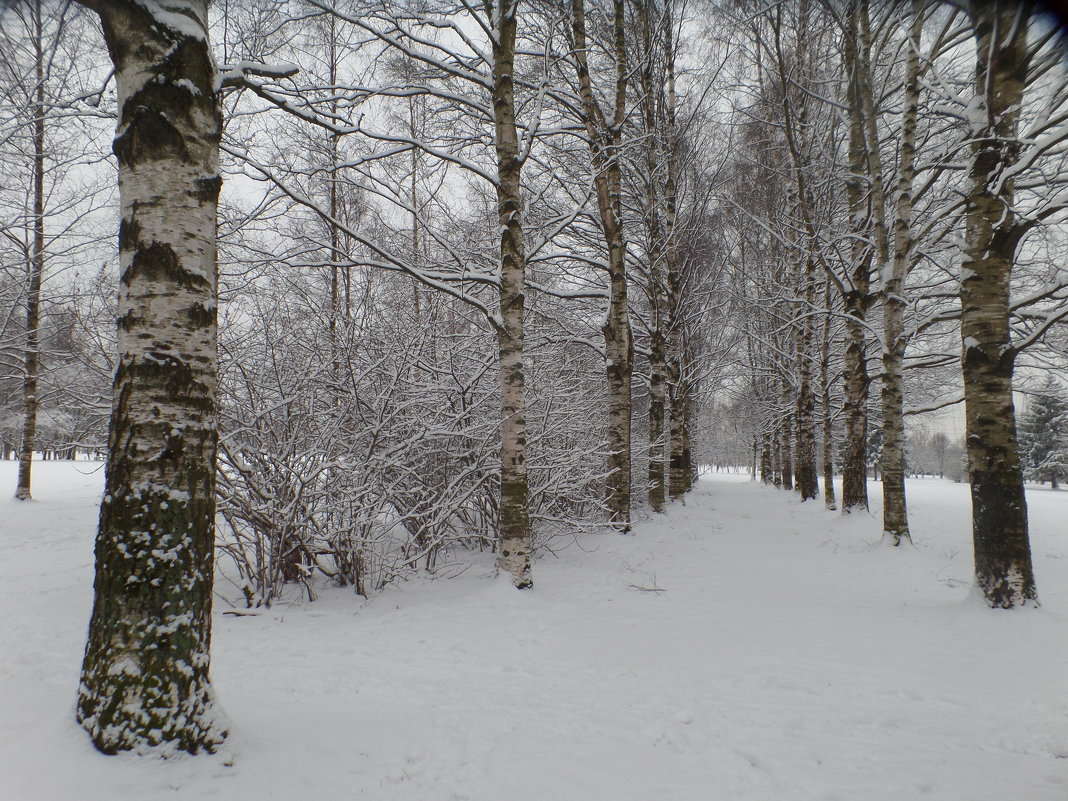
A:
(743, 648)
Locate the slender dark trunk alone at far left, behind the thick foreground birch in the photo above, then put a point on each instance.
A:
(37, 268)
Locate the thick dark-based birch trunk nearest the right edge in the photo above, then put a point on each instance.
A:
(1003, 567)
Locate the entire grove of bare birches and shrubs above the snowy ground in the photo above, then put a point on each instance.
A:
(402, 282)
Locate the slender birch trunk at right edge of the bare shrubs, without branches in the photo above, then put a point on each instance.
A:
(515, 553)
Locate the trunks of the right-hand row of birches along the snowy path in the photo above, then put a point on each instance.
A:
(994, 232)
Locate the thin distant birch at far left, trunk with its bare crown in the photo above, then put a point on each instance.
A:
(48, 199)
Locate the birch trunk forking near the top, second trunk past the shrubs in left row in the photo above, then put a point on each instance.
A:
(605, 136)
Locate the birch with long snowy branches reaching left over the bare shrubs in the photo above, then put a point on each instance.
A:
(474, 74)
